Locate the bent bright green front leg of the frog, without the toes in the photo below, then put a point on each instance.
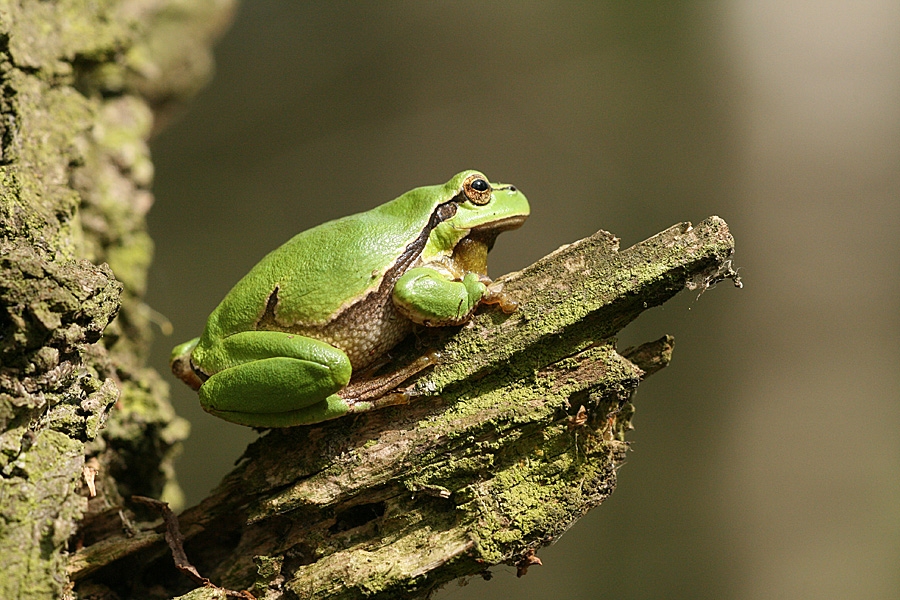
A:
(430, 298)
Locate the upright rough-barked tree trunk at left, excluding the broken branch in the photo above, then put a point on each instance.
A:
(79, 84)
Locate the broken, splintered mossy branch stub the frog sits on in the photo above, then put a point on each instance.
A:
(512, 436)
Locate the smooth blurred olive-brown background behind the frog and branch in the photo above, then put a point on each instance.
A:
(766, 457)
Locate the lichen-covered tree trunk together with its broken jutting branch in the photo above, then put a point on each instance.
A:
(512, 435)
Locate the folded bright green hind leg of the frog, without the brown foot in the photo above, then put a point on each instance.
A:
(274, 379)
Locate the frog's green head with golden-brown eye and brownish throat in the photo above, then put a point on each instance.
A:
(472, 211)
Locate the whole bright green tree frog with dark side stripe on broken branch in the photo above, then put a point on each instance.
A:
(282, 346)
